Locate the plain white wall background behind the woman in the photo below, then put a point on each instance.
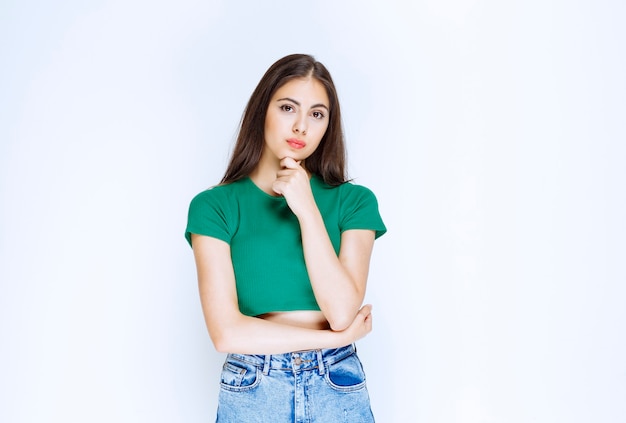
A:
(492, 132)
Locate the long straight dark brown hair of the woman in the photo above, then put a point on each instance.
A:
(327, 161)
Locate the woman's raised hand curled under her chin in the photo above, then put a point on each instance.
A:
(292, 182)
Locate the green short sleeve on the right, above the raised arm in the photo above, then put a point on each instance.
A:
(360, 210)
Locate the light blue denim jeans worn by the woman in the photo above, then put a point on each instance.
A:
(321, 386)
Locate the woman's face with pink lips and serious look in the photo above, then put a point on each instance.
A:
(296, 120)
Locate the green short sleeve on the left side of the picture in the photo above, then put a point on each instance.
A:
(209, 215)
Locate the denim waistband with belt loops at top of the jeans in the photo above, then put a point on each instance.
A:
(296, 361)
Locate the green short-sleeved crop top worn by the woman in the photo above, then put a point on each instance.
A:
(265, 240)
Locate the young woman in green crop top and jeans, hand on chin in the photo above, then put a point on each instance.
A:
(282, 248)
